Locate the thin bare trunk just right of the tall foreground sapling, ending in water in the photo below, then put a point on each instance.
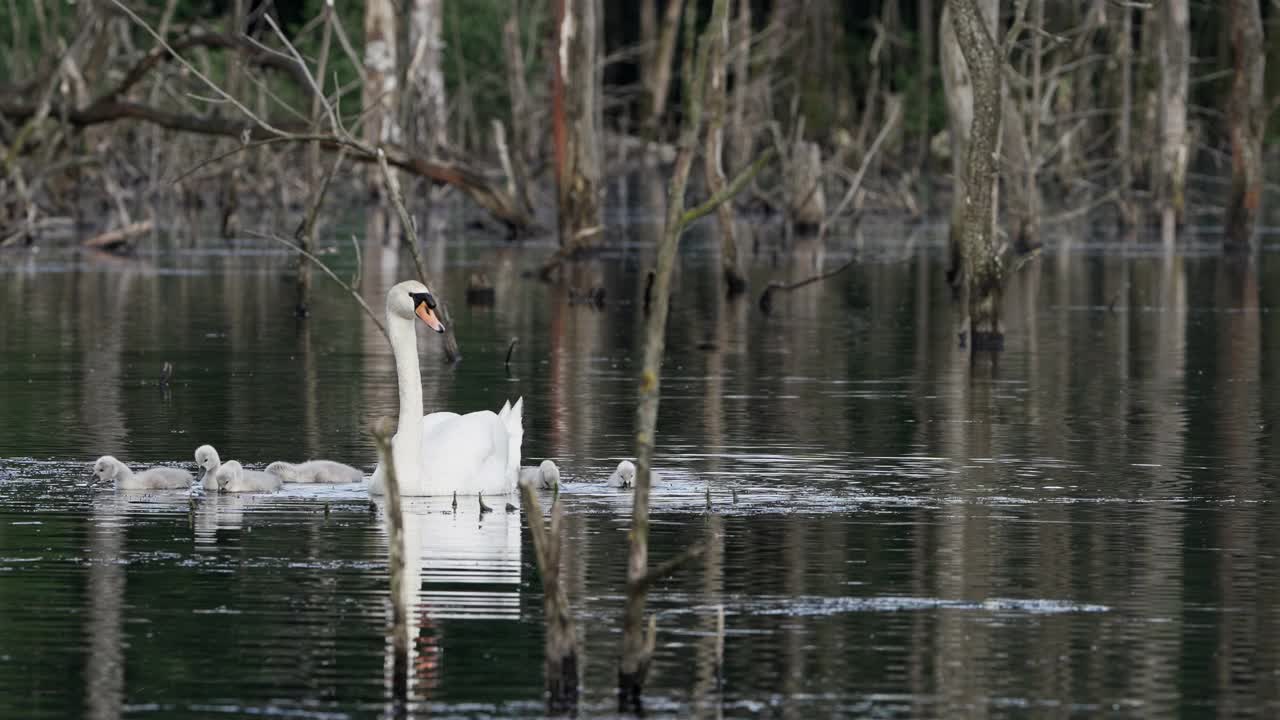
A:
(714, 161)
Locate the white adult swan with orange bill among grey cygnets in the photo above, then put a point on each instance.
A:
(444, 453)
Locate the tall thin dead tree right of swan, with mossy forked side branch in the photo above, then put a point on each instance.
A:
(637, 646)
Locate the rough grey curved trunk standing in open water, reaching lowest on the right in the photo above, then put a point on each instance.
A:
(984, 266)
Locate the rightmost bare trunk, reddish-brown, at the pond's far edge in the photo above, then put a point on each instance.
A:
(1246, 119)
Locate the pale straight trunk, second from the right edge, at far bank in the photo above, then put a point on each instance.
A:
(1169, 176)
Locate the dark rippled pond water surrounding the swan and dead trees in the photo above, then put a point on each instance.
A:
(1086, 528)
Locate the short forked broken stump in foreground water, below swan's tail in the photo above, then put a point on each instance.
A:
(561, 648)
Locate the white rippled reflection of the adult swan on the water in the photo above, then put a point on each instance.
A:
(459, 566)
